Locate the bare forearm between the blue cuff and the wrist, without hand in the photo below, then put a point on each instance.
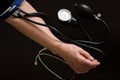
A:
(40, 34)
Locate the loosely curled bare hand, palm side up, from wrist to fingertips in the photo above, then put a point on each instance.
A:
(77, 58)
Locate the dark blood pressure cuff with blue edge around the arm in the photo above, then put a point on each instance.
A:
(8, 7)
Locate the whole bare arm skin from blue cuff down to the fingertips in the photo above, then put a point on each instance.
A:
(76, 57)
